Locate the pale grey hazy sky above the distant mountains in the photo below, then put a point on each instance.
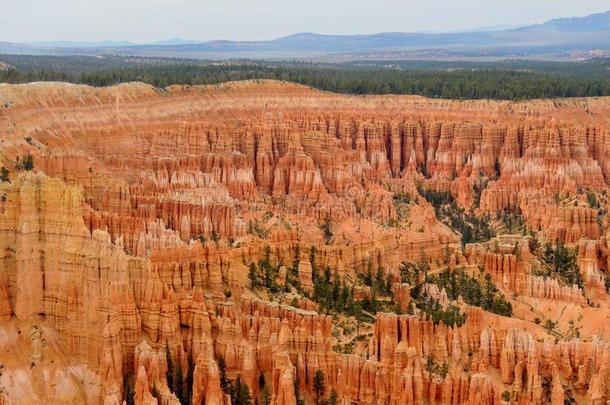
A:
(149, 20)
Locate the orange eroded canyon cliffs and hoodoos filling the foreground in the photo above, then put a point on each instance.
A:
(127, 253)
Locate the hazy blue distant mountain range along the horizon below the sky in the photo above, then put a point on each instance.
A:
(560, 36)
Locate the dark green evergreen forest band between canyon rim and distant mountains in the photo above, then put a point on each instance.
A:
(518, 80)
